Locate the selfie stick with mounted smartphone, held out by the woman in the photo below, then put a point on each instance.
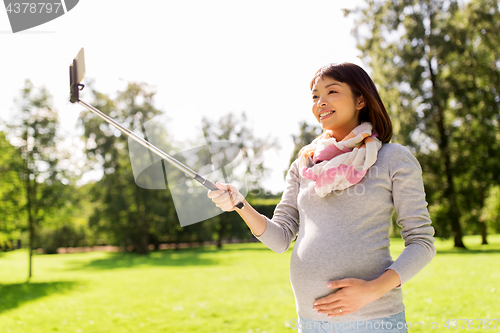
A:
(76, 74)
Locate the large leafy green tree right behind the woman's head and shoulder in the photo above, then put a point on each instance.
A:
(415, 50)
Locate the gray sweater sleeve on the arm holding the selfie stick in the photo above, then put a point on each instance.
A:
(283, 228)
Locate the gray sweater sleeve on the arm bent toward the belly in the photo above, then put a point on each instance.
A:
(413, 216)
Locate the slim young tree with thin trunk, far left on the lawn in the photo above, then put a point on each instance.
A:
(33, 132)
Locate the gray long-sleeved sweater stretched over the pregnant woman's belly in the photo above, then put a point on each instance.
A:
(346, 233)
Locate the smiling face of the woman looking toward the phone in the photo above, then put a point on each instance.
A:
(334, 107)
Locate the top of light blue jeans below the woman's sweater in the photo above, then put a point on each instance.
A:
(391, 324)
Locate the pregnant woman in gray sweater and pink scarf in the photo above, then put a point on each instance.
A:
(338, 202)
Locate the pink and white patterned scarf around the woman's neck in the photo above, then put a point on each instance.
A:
(339, 165)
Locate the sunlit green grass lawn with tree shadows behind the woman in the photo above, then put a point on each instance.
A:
(241, 288)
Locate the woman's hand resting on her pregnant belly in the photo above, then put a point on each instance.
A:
(352, 295)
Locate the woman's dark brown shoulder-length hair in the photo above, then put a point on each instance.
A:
(361, 85)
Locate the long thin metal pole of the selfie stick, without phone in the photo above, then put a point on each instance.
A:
(202, 180)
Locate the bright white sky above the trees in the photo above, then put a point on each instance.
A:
(204, 59)
